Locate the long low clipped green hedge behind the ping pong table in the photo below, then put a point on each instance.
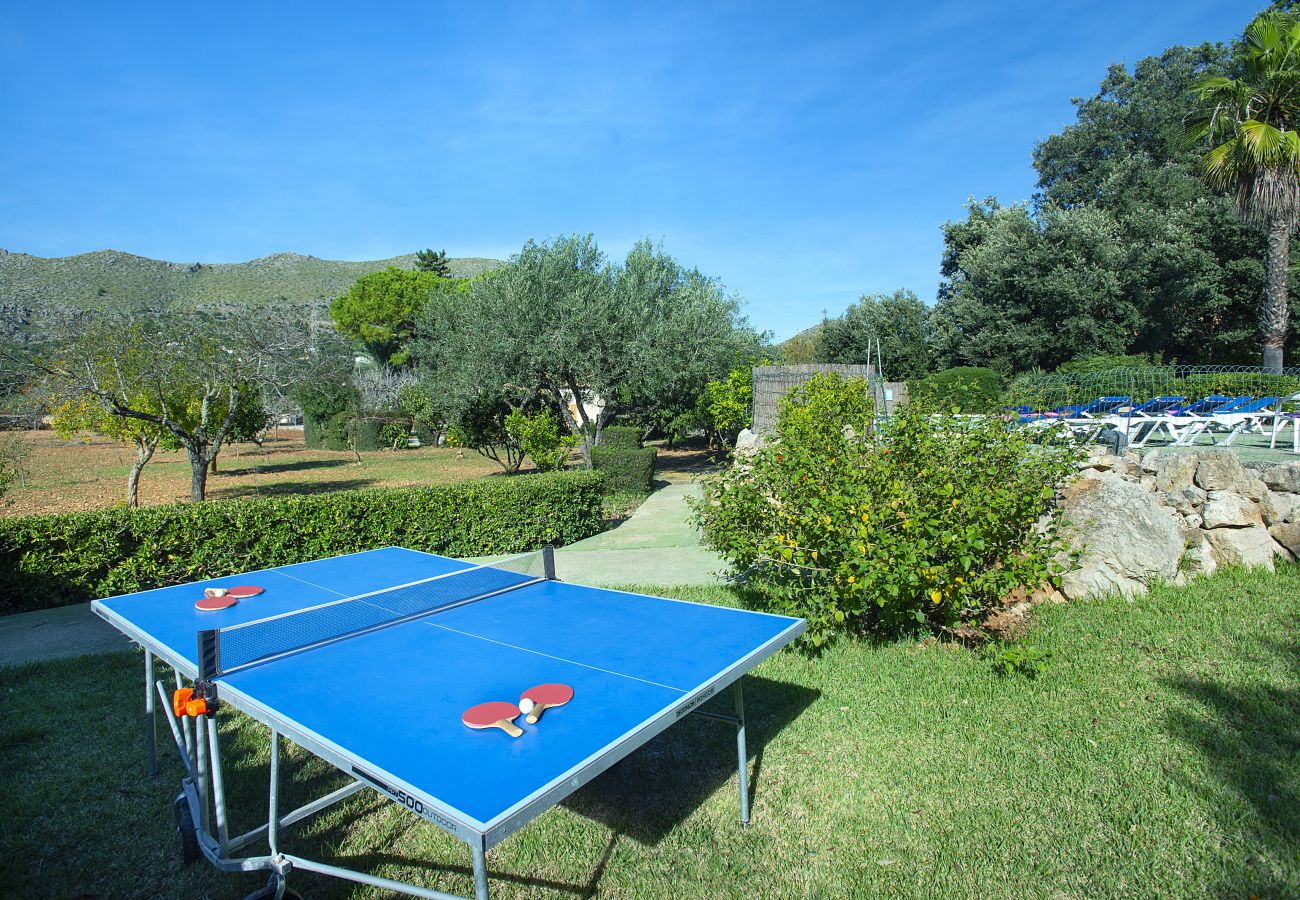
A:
(57, 560)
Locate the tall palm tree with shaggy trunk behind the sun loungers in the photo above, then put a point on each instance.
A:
(1255, 153)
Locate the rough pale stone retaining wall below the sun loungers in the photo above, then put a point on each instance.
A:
(1143, 520)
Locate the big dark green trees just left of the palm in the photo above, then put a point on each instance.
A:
(1125, 231)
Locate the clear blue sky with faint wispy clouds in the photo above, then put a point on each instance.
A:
(803, 153)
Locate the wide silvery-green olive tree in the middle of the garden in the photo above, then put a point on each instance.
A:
(560, 326)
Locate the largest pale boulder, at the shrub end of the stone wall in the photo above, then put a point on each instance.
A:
(1129, 540)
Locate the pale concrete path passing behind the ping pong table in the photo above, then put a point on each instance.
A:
(655, 547)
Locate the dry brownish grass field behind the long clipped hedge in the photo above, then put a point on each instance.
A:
(64, 475)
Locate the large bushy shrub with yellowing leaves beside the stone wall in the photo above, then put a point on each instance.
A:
(928, 525)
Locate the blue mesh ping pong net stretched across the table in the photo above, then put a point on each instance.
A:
(224, 651)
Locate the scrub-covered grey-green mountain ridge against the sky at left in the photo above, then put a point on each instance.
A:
(114, 279)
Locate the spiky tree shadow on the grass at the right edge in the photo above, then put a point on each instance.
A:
(1250, 738)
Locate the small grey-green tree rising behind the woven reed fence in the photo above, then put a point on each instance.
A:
(900, 321)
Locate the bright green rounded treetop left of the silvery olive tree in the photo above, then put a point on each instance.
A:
(382, 310)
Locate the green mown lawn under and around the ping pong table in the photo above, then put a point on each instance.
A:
(1158, 756)
